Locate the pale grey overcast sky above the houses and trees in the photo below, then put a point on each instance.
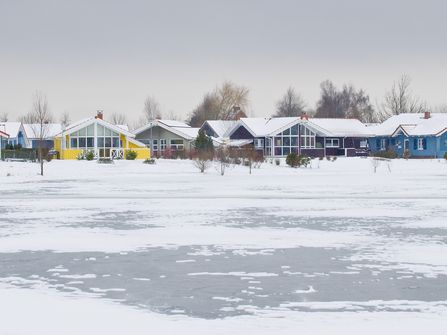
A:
(98, 54)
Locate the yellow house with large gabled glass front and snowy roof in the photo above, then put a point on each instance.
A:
(95, 135)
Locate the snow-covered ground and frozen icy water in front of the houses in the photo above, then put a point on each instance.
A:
(129, 248)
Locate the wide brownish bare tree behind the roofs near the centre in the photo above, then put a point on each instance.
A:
(227, 102)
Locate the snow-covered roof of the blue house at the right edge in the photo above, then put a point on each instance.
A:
(412, 124)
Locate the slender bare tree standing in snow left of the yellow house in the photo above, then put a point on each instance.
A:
(40, 119)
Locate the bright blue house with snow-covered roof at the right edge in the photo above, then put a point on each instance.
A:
(421, 135)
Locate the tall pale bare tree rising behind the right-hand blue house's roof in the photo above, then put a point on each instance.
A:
(400, 99)
